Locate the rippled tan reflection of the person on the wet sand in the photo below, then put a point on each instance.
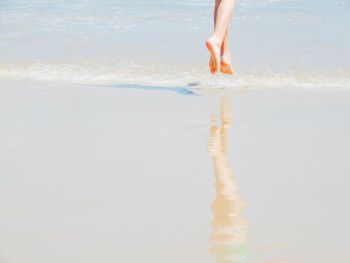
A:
(229, 229)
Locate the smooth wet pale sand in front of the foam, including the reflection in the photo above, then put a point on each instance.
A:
(105, 174)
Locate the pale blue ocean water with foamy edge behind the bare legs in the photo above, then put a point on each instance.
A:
(275, 43)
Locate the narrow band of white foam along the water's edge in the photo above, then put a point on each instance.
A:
(105, 72)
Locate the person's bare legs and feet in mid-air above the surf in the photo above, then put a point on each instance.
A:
(217, 44)
